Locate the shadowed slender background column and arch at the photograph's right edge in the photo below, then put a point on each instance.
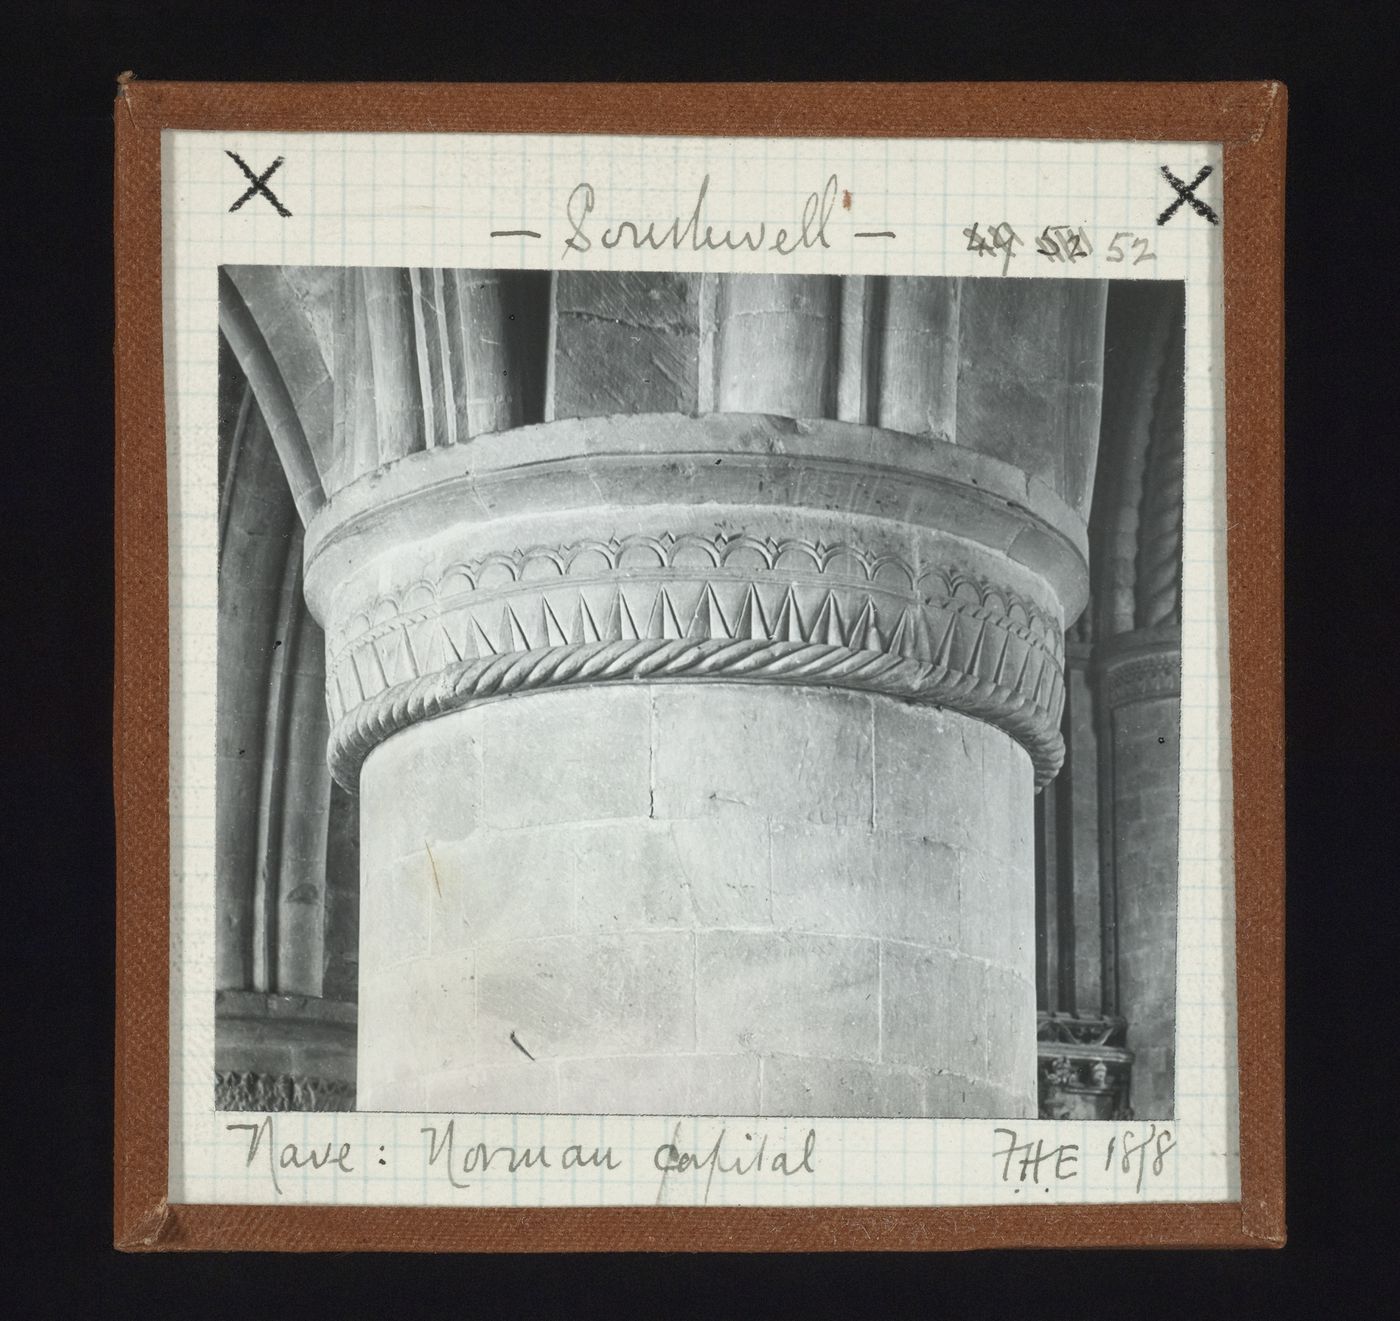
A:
(1139, 671)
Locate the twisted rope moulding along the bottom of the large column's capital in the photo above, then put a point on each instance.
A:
(1031, 721)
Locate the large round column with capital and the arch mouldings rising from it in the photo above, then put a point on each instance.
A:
(695, 684)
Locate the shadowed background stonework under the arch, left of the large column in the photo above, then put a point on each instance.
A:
(285, 1040)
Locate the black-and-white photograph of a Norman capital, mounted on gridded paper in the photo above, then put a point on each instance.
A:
(698, 693)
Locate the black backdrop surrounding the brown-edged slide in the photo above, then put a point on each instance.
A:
(1343, 714)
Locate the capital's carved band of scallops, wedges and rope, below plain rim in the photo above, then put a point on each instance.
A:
(695, 608)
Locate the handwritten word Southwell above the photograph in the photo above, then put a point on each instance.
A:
(694, 234)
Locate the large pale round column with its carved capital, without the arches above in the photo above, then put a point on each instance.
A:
(696, 761)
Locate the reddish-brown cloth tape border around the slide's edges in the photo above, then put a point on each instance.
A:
(1249, 118)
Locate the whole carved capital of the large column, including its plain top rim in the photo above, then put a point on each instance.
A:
(730, 548)
